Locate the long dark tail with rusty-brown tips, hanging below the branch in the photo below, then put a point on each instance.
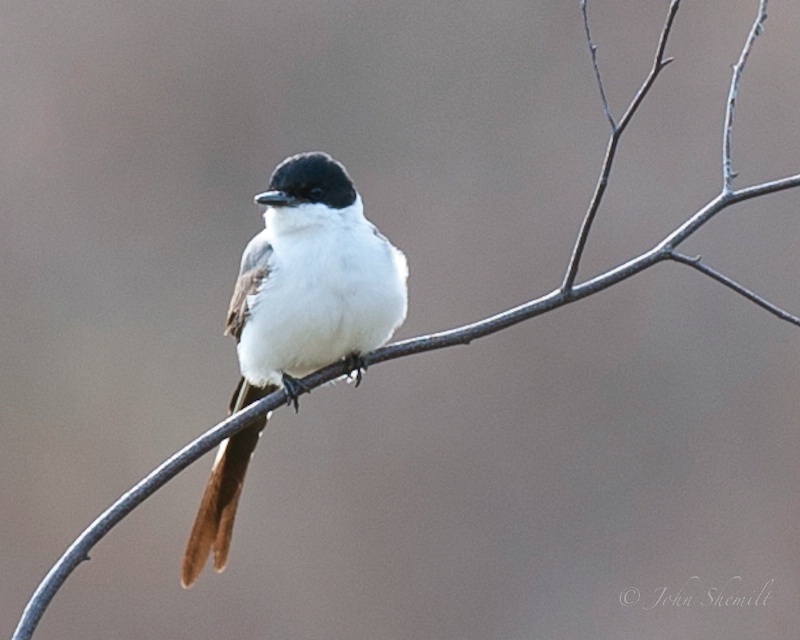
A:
(213, 526)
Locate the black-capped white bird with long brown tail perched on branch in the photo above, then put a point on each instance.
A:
(319, 284)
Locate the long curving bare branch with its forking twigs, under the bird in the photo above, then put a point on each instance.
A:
(566, 294)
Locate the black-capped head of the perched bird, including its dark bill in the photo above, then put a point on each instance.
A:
(312, 177)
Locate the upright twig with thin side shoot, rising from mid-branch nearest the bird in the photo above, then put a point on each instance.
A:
(616, 133)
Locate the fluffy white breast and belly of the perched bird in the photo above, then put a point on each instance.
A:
(321, 304)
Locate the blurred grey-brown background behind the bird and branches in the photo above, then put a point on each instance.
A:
(517, 488)
